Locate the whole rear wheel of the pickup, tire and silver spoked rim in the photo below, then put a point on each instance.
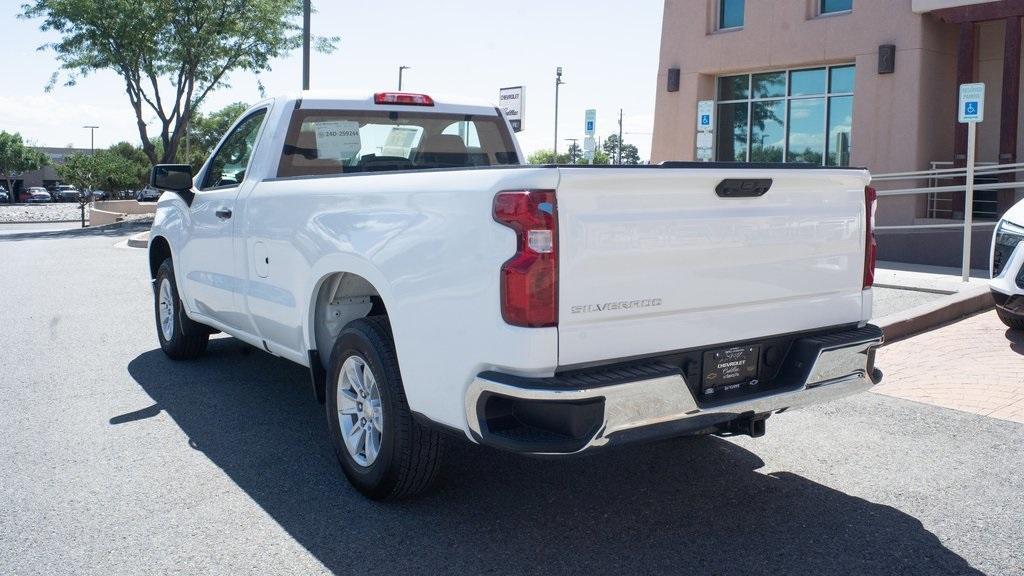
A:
(383, 451)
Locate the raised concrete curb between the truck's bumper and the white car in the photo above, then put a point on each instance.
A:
(955, 307)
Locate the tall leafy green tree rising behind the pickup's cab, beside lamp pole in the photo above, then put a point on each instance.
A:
(169, 54)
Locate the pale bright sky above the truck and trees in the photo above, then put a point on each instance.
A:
(609, 52)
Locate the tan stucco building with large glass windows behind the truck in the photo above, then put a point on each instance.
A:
(848, 83)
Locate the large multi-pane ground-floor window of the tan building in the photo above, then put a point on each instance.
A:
(787, 116)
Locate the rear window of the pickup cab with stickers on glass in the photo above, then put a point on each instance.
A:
(332, 142)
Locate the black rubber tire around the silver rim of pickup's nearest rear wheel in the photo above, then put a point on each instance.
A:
(410, 454)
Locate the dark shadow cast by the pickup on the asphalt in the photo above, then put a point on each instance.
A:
(691, 506)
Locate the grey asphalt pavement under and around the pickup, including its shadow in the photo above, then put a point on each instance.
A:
(116, 461)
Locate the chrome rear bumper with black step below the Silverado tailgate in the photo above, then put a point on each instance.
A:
(627, 403)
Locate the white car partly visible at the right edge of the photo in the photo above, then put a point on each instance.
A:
(1008, 268)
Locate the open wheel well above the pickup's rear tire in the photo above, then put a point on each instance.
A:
(342, 299)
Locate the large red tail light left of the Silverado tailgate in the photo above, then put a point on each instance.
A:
(530, 279)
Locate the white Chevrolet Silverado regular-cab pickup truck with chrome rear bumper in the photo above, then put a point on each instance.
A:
(398, 246)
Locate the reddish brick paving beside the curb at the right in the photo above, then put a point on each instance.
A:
(975, 365)
